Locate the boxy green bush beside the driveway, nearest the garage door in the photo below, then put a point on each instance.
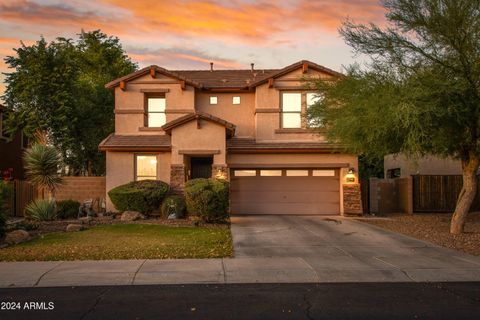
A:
(207, 199)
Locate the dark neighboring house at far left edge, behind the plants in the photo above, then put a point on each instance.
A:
(11, 152)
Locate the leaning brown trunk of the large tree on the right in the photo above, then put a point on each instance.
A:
(467, 194)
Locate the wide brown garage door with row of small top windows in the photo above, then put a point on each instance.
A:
(285, 191)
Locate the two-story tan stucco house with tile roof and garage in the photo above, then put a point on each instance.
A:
(243, 125)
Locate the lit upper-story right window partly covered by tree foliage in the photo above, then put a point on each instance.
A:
(293, 105)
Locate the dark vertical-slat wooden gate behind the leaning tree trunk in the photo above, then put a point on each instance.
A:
(437, 193)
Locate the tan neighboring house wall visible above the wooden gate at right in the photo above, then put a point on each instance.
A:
(399, 166)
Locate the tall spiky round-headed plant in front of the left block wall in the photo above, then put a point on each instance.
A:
(42, 165)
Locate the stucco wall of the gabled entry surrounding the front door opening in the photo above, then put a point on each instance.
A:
(188, 137)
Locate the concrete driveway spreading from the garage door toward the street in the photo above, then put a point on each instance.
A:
(342, 250)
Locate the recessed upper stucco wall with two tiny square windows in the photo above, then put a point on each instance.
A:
(239, 114)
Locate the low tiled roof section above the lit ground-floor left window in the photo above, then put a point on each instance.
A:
(136, 142)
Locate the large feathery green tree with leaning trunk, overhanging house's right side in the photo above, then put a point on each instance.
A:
(421, 92)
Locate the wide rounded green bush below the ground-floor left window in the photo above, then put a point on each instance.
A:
(143, 196)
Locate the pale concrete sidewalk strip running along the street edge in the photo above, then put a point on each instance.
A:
(212, 271)
